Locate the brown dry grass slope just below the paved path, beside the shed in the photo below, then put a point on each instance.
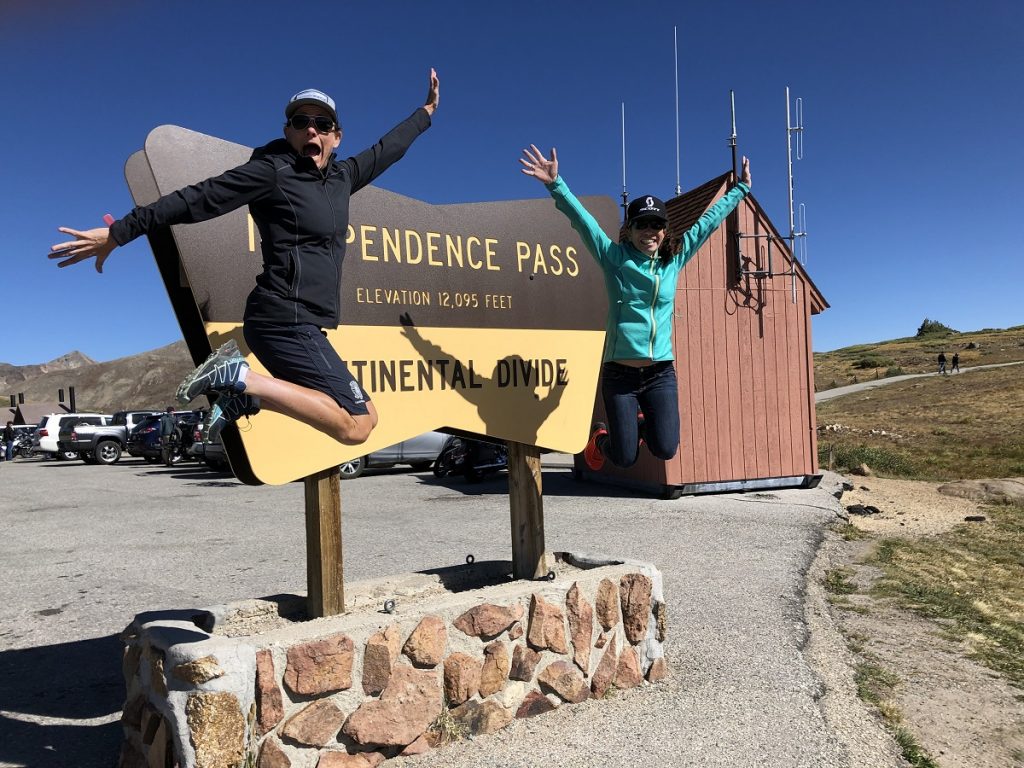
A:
(940, 429)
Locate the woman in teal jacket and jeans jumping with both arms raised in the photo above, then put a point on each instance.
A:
(641, 276)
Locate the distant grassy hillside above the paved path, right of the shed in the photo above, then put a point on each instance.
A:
(914, 356)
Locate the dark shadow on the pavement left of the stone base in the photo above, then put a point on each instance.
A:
(67, 682)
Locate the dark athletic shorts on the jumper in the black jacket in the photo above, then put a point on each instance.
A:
(303, 356)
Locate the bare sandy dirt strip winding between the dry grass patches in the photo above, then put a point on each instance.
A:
(963, 714)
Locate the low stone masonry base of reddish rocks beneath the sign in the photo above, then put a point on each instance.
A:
(463, 652)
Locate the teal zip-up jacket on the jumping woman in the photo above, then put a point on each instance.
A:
(642, 290)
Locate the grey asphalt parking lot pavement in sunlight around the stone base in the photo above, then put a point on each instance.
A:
(86, 548)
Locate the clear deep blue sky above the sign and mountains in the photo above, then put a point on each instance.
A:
(913, 143)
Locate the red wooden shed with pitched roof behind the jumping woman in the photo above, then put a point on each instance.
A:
(743, 345)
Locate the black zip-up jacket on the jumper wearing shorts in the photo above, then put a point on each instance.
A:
(302, 214)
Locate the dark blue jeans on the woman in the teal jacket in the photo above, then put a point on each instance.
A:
(627, 392)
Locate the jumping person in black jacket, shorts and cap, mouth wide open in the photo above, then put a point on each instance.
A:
(298, 195)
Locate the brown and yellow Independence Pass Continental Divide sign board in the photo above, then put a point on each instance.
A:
(487, 318)
